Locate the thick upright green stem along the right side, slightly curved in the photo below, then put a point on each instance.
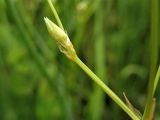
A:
(154, 56)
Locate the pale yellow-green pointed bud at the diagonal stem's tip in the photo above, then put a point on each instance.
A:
(61, 38)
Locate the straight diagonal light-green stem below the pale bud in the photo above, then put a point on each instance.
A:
(110, 93)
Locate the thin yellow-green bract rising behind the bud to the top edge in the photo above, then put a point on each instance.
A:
(55, 14)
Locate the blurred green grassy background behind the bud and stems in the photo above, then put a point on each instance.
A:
(37, 82)
